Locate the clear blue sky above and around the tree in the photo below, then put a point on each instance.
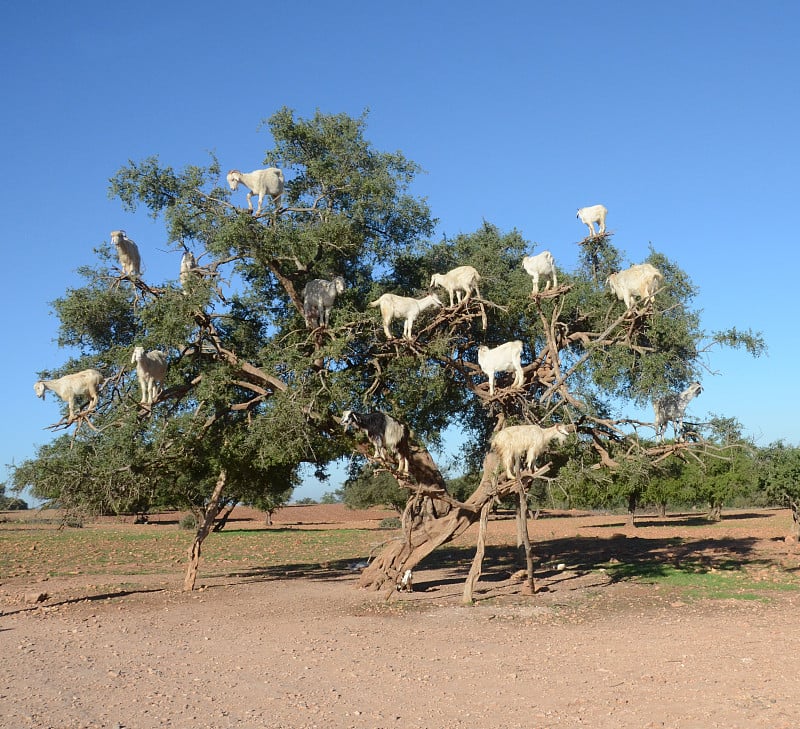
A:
(680, 117)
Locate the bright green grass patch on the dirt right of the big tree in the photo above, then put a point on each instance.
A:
(693, 580)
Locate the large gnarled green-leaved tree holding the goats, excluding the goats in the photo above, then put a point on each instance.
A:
(252, 394)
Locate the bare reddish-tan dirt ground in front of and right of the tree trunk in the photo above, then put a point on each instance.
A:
(313, 650)
